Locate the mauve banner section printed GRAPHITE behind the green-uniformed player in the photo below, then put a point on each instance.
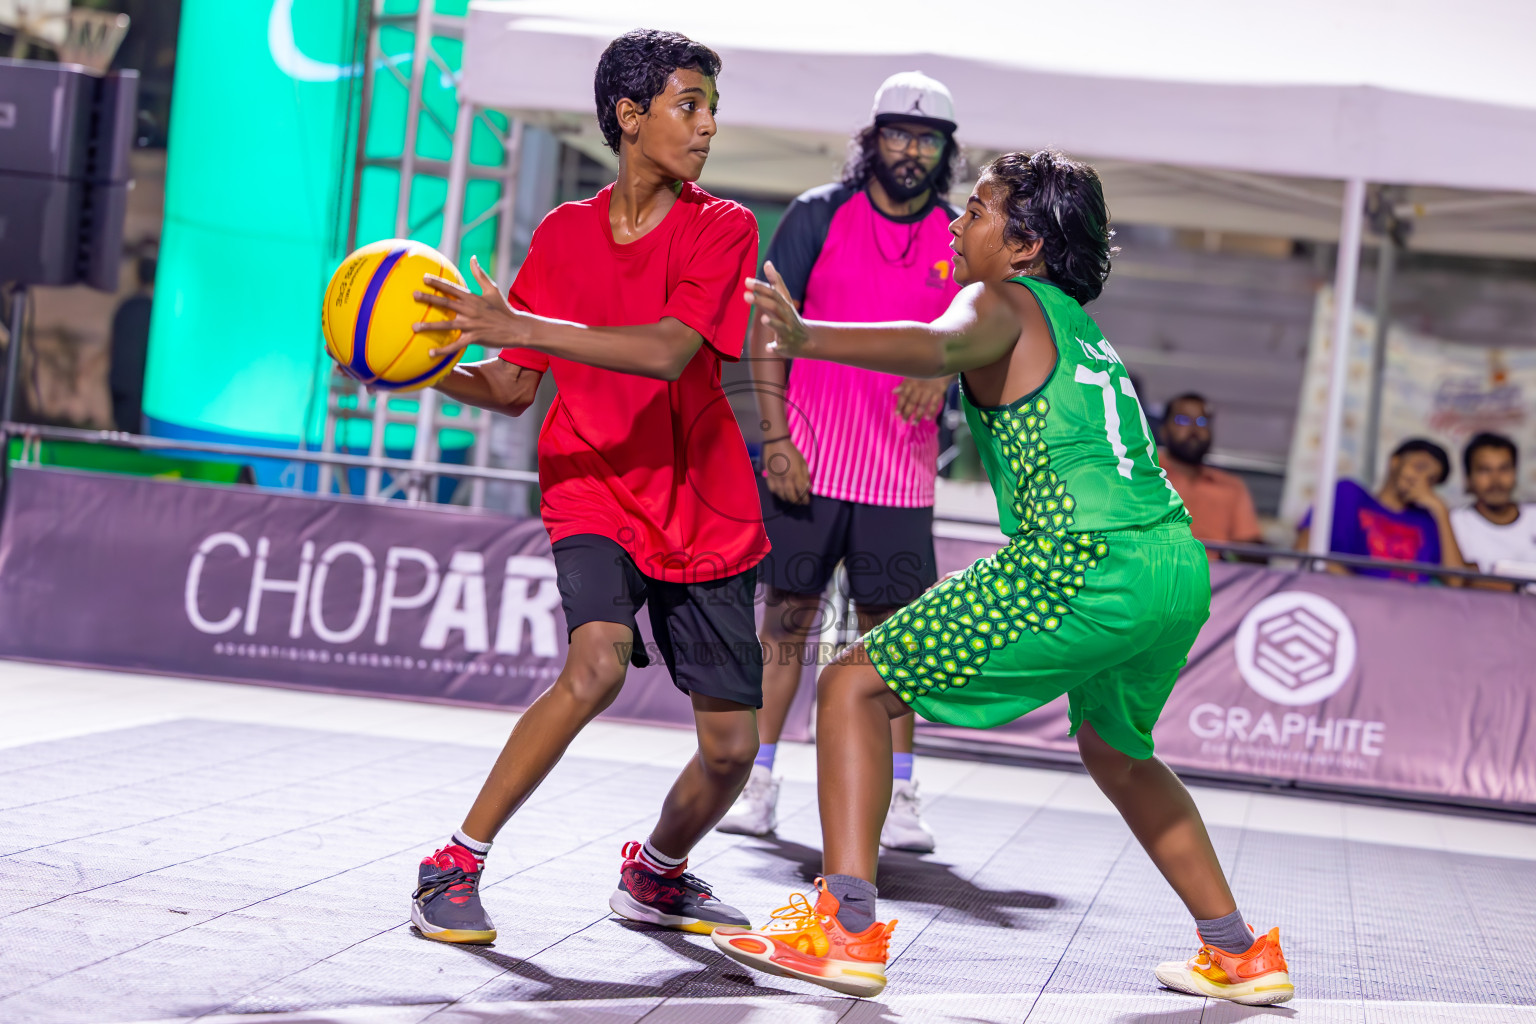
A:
(1342, 682)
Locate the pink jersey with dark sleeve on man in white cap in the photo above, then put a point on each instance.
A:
(869, 269)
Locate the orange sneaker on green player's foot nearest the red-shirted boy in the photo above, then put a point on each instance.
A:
(810, 943)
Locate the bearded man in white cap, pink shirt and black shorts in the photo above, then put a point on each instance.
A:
(850, 455)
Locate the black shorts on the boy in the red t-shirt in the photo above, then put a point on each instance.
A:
(707, 632)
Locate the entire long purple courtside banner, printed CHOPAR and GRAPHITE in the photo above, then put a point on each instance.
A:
(1320, 679)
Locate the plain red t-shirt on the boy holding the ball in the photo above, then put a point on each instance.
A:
(660, 467)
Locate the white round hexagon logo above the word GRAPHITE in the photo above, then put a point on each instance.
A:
(1296, 649)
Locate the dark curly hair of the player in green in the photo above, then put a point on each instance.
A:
(1062, 202)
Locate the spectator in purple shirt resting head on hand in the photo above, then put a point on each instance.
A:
(1405, 521)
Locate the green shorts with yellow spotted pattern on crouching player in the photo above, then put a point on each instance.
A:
(1107, 619)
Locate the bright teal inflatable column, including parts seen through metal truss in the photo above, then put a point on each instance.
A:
(257, 193)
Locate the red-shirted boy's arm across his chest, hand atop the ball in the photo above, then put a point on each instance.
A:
(657, 351)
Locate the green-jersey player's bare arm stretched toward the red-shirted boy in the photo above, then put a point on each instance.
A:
(979, 329)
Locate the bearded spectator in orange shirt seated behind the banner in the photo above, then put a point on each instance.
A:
(1219, 503)
